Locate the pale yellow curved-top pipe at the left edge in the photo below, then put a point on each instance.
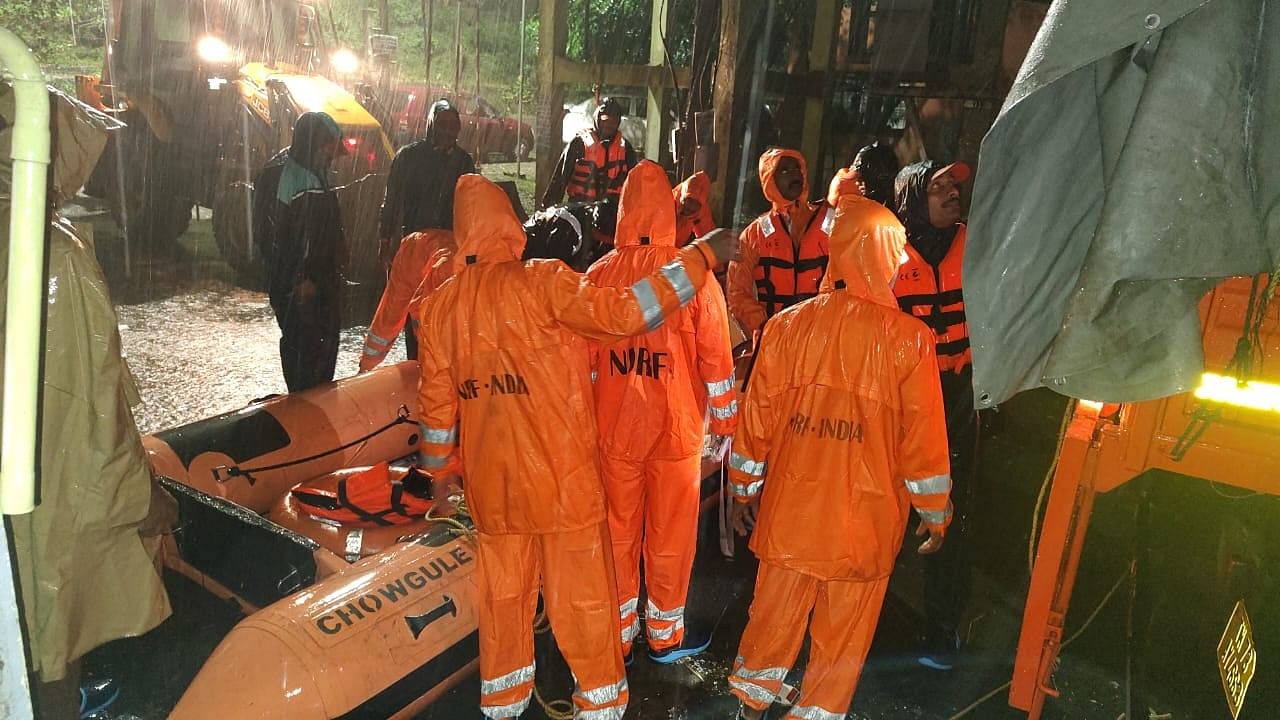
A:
(25, 313)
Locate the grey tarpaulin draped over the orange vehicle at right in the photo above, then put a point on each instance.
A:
(1136, 162)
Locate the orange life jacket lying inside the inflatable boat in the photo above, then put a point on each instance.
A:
(373, 496)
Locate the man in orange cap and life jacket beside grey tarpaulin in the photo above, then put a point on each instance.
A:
(929, 286)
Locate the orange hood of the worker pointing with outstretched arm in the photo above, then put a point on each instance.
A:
(484, 225)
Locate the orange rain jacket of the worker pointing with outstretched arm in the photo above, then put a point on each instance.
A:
(505, 388)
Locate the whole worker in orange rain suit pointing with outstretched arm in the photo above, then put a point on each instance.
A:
(506, 395)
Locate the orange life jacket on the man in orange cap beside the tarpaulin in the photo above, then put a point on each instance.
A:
(935, 295)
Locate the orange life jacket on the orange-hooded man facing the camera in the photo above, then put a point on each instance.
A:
(783, 276)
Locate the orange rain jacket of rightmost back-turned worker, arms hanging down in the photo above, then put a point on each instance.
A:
(843, 426)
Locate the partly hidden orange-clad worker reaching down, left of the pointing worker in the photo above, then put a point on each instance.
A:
(423, 259)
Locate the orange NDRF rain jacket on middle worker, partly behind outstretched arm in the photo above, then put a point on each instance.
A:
(652, 390)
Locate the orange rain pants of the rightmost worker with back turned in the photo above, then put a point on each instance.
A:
(845, 614)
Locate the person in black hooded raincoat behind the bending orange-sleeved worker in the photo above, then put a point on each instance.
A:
(420, 189)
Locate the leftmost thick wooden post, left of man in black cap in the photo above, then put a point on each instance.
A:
(552, 38)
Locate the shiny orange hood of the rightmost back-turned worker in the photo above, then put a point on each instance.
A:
(867, 249)
